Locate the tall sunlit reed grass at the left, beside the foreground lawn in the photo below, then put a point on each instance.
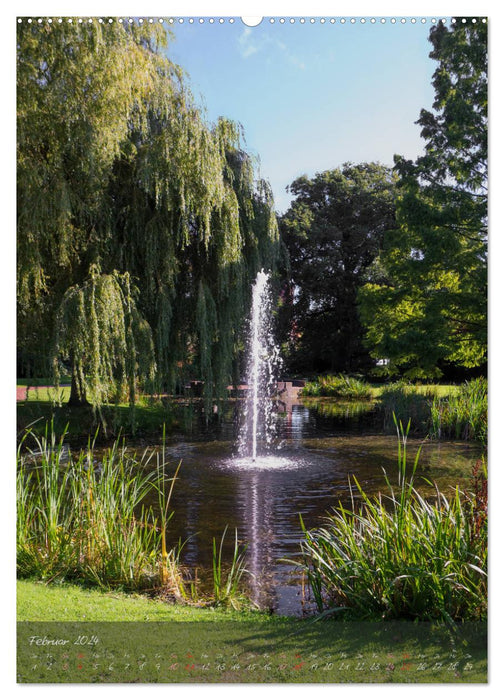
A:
(83, 519)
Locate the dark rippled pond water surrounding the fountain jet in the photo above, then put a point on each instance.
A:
(316, 455)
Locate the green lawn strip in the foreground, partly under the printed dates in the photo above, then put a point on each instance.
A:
(114, 638)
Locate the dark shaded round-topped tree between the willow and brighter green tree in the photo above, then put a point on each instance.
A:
(333, 231)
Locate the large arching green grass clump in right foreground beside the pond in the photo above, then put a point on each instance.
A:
(400, 555)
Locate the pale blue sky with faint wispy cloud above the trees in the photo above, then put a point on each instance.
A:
(311, 96)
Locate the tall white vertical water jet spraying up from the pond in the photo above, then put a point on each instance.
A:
(262, 365)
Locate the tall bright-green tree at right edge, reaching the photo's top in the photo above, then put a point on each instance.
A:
(426, 309)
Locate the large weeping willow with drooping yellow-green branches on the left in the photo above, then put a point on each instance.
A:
(121, 178)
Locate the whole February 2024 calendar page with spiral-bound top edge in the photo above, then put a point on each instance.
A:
(251, 349)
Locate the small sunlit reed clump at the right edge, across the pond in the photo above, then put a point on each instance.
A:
(463, 415)
